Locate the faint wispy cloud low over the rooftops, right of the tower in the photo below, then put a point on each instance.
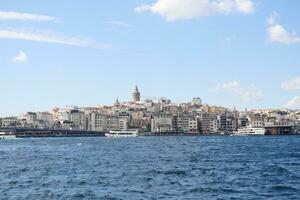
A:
(246, 94)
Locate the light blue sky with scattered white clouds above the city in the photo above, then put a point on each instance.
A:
(242, 53)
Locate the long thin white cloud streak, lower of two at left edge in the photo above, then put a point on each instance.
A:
(38, 36)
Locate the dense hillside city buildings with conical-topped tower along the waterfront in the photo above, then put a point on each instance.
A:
(159, 115)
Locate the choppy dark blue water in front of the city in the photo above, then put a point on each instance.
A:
(151, 168)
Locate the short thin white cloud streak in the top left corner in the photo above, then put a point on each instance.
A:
(24, 16)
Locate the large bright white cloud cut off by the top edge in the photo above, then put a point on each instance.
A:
(174, 10)
